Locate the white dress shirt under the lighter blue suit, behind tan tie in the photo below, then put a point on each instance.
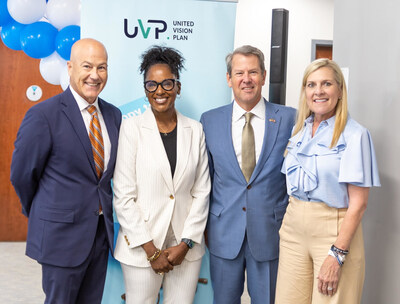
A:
(257, 122)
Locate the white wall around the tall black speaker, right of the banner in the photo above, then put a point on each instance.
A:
(308, 19)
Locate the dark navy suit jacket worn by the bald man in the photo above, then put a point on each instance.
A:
(53, 173)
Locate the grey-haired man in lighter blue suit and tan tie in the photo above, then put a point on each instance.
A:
(247, 203)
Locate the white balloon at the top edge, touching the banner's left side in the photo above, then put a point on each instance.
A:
(62, 13)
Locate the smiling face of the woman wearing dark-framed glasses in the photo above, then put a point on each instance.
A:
(162, 101)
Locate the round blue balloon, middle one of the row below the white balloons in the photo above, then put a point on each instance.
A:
(38, 39)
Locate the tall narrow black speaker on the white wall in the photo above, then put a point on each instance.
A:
(278, 63)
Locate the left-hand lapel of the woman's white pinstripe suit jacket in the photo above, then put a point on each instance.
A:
(153, 139)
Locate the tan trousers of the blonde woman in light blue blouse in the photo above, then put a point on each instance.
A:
(307, 233)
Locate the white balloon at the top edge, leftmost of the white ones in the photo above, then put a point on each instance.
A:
(26, 11)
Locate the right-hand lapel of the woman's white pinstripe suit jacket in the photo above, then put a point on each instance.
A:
(183, 147)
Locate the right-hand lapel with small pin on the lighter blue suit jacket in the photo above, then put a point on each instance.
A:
(272, 122)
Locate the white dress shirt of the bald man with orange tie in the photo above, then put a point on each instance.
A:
(83, 104)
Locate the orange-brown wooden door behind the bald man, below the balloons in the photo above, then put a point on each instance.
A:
(18, 71)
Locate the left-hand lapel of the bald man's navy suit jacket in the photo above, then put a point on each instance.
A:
(71, 110)
